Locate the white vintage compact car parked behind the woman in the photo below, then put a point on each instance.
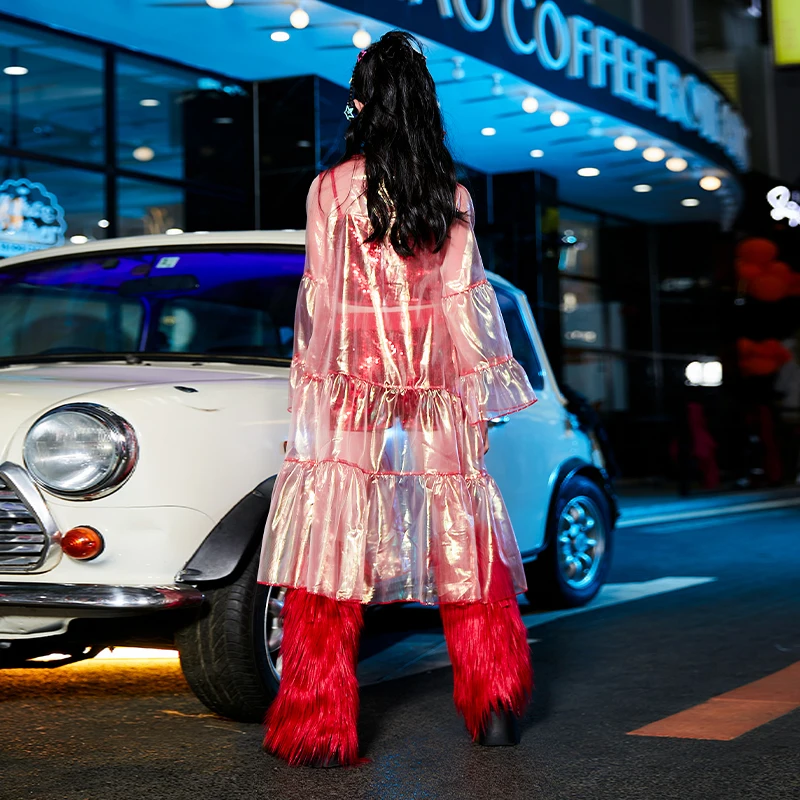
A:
(143, 393)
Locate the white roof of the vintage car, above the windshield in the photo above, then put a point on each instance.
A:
(293, 238)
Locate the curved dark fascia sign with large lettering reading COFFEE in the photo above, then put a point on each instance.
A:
(583, 54)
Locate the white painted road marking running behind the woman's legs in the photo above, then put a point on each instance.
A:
(422, 652)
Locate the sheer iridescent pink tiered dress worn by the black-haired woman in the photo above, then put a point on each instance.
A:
(384, 495)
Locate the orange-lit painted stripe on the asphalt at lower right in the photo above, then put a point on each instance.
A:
(734, 713)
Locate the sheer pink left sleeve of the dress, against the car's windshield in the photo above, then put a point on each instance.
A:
(316, 247)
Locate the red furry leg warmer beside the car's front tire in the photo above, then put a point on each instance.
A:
(313, 718)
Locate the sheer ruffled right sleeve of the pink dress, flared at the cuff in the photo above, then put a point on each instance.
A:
(492, 383)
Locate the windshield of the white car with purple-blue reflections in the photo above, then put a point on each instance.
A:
(214, 303)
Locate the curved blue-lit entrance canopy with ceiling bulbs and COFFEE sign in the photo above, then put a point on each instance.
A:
(625, 125)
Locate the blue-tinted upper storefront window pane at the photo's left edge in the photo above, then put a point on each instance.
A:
(56, 105)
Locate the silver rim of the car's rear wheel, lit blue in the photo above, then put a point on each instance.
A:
(581, 542)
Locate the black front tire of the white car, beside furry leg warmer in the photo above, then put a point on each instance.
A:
(230, 654)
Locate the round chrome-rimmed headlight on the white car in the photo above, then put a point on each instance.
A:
(80, 451)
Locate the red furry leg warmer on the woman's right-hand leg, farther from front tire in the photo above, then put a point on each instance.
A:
(488, 645)
